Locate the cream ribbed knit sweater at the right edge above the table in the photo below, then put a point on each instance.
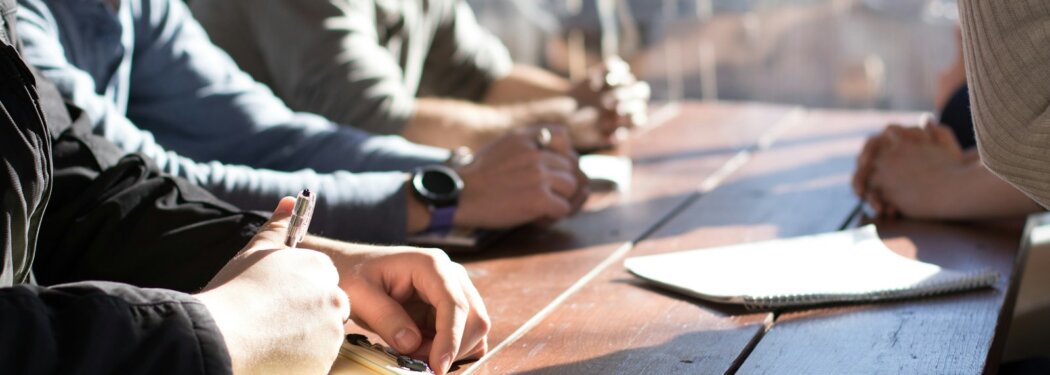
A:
(1007, 48)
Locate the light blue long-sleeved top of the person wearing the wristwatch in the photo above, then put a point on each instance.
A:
(220, 129)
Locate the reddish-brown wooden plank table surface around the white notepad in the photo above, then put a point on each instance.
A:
(720, 174)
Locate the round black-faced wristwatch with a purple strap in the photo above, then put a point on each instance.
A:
(439, 187)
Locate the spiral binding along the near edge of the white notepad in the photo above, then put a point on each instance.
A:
(978, 280)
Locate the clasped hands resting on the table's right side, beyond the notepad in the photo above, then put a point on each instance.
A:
(906, 171)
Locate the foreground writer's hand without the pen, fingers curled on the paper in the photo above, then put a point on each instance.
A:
(418, 301)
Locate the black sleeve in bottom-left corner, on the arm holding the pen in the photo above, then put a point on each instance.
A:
(107, 328)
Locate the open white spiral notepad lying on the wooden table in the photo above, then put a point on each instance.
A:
(841, 267)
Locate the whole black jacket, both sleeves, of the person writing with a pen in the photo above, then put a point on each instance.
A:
(109, 218)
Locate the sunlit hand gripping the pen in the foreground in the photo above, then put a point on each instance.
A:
(280, 310)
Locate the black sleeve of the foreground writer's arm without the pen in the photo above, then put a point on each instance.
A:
(117, 218)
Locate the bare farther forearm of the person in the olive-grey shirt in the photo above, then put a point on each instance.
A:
(528, 84)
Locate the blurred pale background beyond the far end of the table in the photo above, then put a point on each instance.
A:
(834, 54)
